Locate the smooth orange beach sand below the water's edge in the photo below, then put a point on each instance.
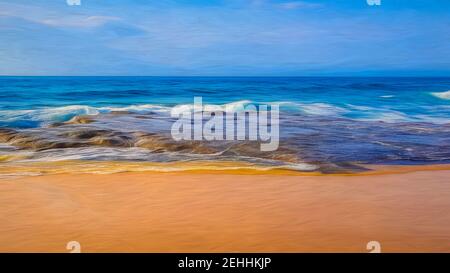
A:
(405, 210)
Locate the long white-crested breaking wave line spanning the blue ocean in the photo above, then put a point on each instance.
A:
(49, 115)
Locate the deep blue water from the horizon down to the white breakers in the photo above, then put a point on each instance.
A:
(388, 99)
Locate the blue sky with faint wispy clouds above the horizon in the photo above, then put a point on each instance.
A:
(225, 38)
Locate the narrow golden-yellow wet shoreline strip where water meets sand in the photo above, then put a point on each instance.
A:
(10, 170)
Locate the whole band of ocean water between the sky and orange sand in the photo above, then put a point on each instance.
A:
(325, 123)
